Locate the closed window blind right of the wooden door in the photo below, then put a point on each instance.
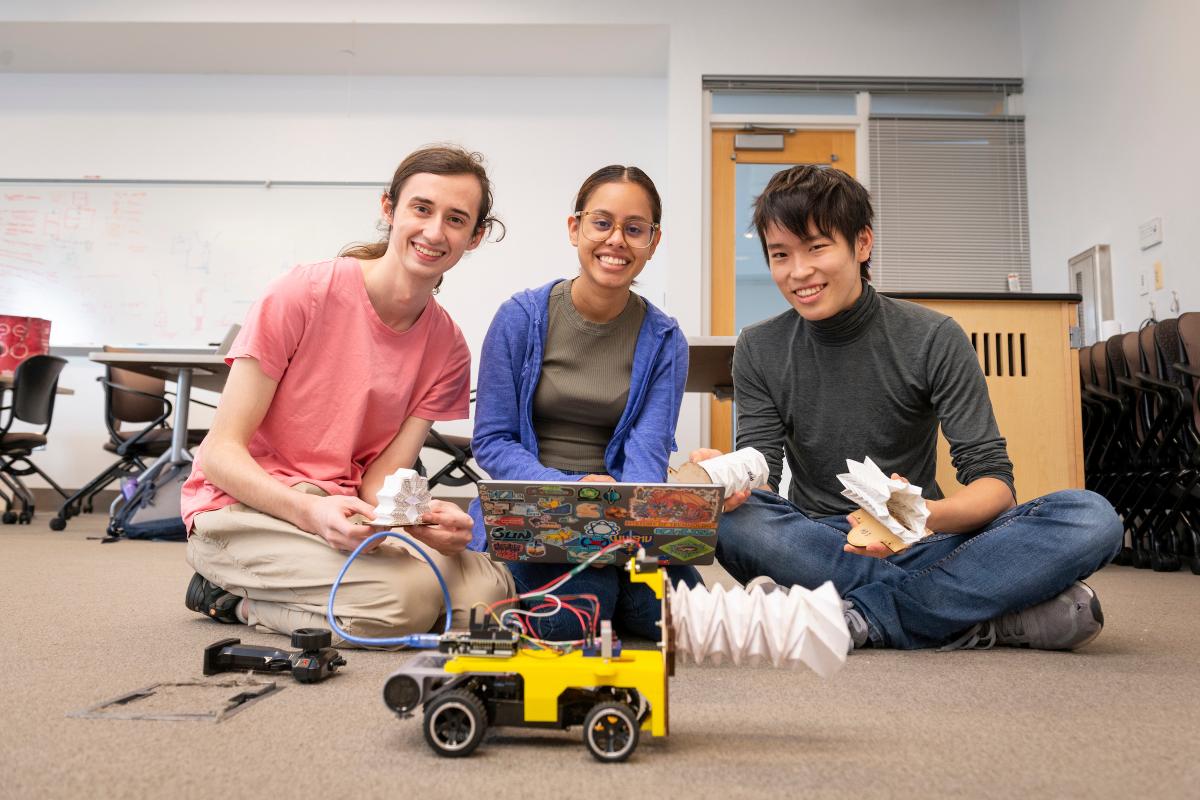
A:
(951, 208)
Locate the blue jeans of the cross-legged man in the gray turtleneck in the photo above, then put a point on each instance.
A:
(941, 586)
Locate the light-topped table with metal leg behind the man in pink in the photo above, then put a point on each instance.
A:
(185, 370)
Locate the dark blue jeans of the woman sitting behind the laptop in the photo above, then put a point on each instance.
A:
(633, 607)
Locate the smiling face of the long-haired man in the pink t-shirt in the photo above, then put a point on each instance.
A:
(434, 224)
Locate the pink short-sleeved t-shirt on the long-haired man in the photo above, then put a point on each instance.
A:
(346, 381)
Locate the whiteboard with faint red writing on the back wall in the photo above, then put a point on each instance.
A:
(164, 263)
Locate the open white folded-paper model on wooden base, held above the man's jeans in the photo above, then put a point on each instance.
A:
(892, 504)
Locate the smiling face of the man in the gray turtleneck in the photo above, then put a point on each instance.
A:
(819, 275)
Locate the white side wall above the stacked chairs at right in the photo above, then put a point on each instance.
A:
(1113, 109)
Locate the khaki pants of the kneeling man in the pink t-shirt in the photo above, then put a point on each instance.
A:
(287, 573)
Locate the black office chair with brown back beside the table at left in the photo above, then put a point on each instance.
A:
(130, 399)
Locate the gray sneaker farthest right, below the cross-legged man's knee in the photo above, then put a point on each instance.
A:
(1065, 623)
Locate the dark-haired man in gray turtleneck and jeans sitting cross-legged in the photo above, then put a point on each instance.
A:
(848, 374)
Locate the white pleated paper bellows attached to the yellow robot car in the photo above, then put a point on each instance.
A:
(789, 628)
